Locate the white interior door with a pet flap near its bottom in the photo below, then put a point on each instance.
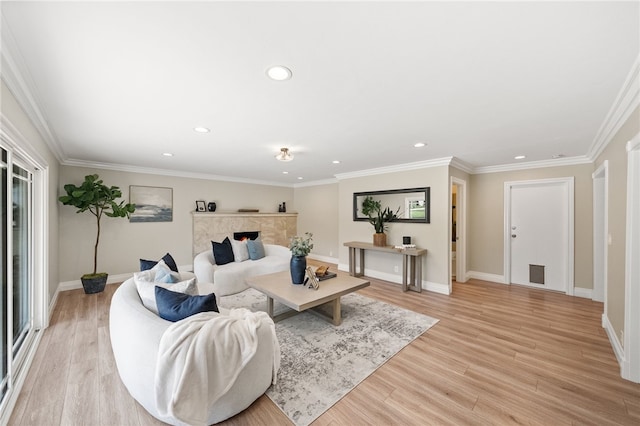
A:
(538, 234)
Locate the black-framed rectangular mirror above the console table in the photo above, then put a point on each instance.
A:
(413, 204)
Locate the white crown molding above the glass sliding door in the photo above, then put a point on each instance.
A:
(16, 76)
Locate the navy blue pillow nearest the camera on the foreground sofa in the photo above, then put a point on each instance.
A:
(173, 306)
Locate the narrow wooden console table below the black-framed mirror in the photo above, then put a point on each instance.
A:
(411, 262)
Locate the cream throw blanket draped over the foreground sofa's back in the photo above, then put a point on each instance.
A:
(200, 358)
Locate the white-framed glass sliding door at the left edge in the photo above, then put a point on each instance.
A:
(24, 296)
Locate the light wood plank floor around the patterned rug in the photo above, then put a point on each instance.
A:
(499, 355)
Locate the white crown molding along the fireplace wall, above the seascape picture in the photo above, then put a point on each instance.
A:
(165, 172)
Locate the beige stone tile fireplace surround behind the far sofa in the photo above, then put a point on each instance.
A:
(274, 228)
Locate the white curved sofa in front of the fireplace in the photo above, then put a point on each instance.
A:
(231, 277)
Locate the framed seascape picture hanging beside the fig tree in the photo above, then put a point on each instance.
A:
(153, 204)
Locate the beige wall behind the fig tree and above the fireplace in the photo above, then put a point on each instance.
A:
(122, 244)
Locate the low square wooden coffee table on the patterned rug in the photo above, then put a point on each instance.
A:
(278, 287)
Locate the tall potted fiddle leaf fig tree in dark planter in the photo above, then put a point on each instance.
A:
(95, 197)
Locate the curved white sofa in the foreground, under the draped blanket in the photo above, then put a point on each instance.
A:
(135, 337)
